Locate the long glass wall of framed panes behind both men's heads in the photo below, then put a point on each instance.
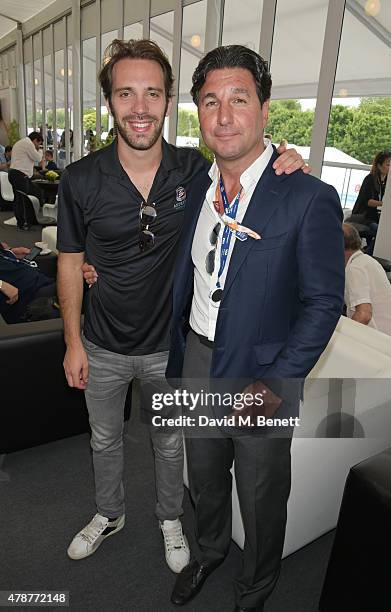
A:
(360, 116)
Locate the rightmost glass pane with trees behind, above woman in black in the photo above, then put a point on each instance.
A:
(360, 119)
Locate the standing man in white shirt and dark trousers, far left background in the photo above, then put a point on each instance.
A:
(25, 153)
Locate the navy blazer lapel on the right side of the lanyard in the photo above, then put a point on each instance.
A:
(267, 197)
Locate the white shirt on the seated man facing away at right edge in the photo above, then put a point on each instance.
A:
(367, 283)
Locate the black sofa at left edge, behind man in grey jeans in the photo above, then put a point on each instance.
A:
(37, 406)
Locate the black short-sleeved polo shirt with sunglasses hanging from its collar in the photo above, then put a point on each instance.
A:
(128, 310)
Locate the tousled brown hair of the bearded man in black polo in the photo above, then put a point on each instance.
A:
(133, 49)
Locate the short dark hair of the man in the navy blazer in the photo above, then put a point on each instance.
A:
(233, 56)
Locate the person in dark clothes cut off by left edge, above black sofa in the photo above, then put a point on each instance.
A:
(21, 286)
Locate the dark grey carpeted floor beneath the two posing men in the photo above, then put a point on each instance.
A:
(47, 496)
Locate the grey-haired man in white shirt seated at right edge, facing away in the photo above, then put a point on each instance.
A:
(367, 288)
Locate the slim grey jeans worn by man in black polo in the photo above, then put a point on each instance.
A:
(108, 380)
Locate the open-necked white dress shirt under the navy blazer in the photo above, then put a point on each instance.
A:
(204, 311)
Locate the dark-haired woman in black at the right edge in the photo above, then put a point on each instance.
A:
(370, 196)
